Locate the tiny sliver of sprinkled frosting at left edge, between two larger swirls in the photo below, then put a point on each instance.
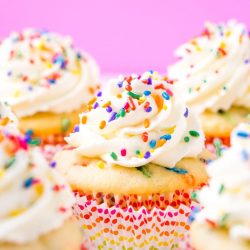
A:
(7, 118)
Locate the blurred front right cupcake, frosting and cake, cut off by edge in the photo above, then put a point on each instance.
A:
(225, 220)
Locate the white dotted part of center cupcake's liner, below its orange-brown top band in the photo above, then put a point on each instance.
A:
(118, 228)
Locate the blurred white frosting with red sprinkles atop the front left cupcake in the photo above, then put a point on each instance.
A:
(34, 198)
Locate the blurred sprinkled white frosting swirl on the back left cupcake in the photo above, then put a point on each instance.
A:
(42, 71)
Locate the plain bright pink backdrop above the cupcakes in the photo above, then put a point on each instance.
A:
(123, 35)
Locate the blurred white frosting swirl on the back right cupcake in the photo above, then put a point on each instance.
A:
(214, 68)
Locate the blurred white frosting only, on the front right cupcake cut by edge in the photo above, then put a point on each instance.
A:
(227, 200)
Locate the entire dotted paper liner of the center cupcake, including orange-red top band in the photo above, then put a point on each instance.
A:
(123, 222)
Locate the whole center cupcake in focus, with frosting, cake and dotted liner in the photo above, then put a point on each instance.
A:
(133, 162)
